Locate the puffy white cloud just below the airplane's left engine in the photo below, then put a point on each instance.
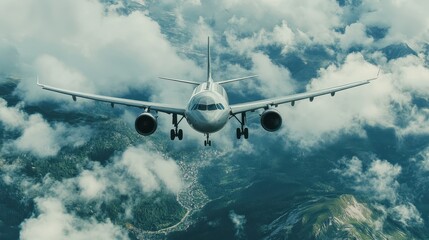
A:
(136, 170)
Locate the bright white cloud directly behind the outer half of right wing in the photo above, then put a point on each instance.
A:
(346, 112)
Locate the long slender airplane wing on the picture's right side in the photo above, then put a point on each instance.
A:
(251, 106)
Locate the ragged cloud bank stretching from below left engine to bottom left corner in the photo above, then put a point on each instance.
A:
(62, 205)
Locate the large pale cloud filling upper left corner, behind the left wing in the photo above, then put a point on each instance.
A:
(89, 49)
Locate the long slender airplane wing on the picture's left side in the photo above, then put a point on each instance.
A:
(166, 108)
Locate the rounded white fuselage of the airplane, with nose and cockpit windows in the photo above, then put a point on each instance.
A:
(208, 109)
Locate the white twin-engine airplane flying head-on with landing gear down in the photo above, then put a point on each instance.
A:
(208, 109)
